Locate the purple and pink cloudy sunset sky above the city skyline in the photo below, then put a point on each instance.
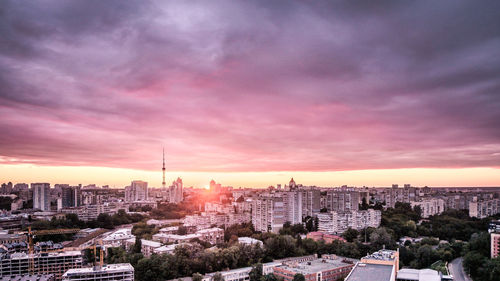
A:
(250, 93)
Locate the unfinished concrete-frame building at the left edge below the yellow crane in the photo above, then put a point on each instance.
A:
(56, 263)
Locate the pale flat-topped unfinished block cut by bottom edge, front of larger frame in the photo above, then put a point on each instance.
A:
(119, 271)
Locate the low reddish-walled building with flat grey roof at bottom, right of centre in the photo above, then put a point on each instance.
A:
(327, 268)
